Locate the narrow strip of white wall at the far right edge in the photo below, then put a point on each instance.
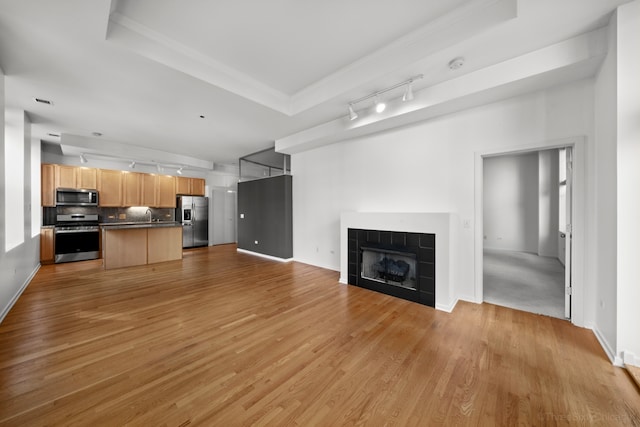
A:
(628, 203)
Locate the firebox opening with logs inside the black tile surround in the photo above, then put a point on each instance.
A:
(389, 266)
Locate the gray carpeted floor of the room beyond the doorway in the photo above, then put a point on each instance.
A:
(524, 281)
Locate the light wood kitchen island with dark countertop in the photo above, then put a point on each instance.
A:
(139, 243)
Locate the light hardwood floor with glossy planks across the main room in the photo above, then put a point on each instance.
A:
(224, 339)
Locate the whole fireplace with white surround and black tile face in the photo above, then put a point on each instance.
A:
(396, 253)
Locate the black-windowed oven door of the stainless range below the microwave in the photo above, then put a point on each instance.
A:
(76, 244)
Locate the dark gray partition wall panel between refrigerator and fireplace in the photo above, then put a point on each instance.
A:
(264, 216)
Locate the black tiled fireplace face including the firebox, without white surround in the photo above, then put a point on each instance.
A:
(400, 264)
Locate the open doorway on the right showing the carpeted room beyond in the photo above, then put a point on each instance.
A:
(526, 246)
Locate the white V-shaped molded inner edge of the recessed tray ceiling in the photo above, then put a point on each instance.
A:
(445, 31)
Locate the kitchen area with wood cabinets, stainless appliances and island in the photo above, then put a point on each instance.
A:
(124, 218)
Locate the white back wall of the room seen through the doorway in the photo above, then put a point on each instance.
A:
(511, 202)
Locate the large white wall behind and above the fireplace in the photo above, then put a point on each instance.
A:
(427, 167)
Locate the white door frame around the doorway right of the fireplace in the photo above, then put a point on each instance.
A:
(578, 219)
